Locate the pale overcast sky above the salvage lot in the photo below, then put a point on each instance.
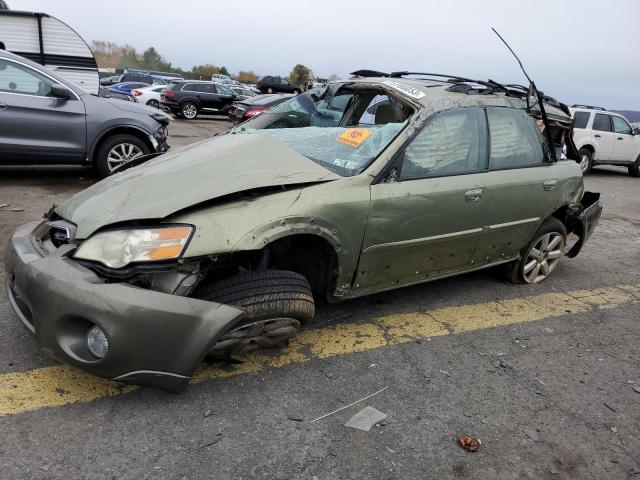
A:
(579, 51)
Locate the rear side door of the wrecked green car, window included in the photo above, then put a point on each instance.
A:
(521, 187)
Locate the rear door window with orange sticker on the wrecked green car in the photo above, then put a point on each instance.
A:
(514, 139)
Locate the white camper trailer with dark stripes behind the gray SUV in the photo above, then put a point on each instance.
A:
(50, 42)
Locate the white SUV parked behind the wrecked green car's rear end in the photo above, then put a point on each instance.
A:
(605, 138)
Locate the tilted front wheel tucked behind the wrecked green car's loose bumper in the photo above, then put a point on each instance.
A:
(277, 303)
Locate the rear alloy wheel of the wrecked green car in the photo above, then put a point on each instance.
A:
(541, 256)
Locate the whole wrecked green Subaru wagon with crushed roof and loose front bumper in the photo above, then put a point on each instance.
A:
(367, 185)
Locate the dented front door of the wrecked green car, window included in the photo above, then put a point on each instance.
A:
(426, 221)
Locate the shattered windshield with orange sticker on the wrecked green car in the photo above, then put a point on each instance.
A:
(341, 128)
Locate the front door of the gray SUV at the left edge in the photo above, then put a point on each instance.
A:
(34, 126)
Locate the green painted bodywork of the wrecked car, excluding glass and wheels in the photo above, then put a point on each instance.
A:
(244, 192)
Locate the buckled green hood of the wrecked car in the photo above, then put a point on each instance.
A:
(203, 171)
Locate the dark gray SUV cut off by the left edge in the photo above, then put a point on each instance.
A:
(45, 119)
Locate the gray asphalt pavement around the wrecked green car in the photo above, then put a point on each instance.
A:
(557, 397)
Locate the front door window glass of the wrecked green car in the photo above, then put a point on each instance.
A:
(452, 142)
